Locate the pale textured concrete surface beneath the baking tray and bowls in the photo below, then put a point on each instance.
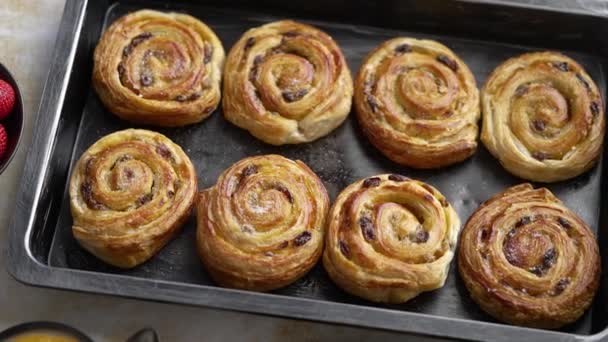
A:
(27, 35)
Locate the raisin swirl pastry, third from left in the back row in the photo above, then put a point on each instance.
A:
(418, 103)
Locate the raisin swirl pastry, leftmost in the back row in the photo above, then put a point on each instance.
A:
(159, 68)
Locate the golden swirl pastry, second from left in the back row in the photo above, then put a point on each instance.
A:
(286, 83)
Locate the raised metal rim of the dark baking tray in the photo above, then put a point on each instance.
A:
(23, 266)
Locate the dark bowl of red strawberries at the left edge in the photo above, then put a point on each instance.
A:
(11, 117)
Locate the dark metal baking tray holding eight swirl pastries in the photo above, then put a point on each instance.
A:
(43, 252)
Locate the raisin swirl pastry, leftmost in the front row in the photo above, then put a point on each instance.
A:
(130, 193)
